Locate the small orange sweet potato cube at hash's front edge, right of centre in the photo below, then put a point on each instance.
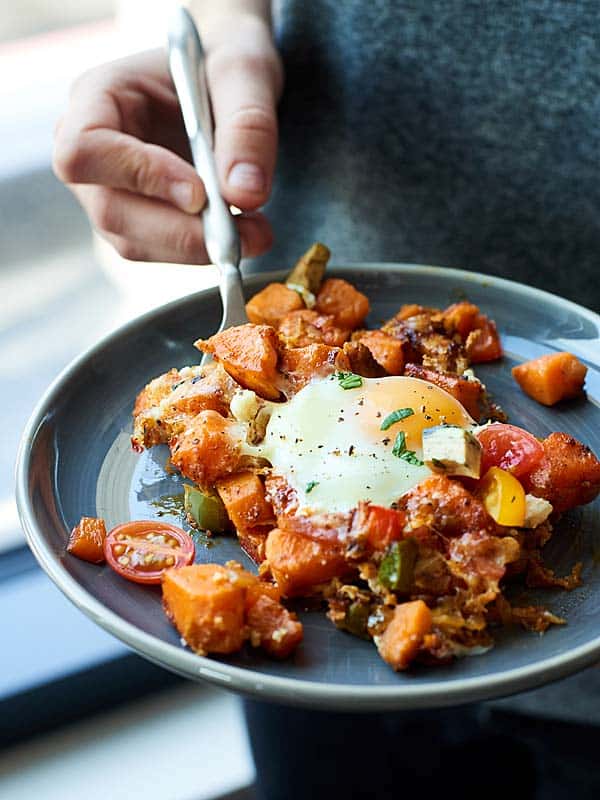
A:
(403, 637)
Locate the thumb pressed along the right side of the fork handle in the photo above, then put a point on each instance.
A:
(244, 90)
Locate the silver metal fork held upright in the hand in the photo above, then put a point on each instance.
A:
(186, 62)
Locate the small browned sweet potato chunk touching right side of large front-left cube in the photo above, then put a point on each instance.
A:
(273, 627)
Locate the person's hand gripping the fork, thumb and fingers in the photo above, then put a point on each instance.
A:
(122, 149)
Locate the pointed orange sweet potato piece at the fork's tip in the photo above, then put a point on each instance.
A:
(249, 354)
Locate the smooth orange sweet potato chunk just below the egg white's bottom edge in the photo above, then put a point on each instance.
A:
(298, 563)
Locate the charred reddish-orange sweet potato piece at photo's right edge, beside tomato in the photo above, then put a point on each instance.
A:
(569, 474)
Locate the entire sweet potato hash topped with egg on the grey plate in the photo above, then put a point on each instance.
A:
(367, 468)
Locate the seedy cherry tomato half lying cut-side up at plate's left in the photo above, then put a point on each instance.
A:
(141, 551)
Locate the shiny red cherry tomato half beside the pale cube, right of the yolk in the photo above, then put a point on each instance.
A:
(509, 448)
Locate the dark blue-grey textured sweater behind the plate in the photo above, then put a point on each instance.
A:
(460, 133)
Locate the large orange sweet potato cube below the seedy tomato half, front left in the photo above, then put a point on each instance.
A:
(206, 603)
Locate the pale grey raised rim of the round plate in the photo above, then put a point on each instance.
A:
(247, 680)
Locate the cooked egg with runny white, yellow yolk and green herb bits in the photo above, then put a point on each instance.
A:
(338, 446)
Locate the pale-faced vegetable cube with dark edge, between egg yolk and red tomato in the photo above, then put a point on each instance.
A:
(452, 451)
